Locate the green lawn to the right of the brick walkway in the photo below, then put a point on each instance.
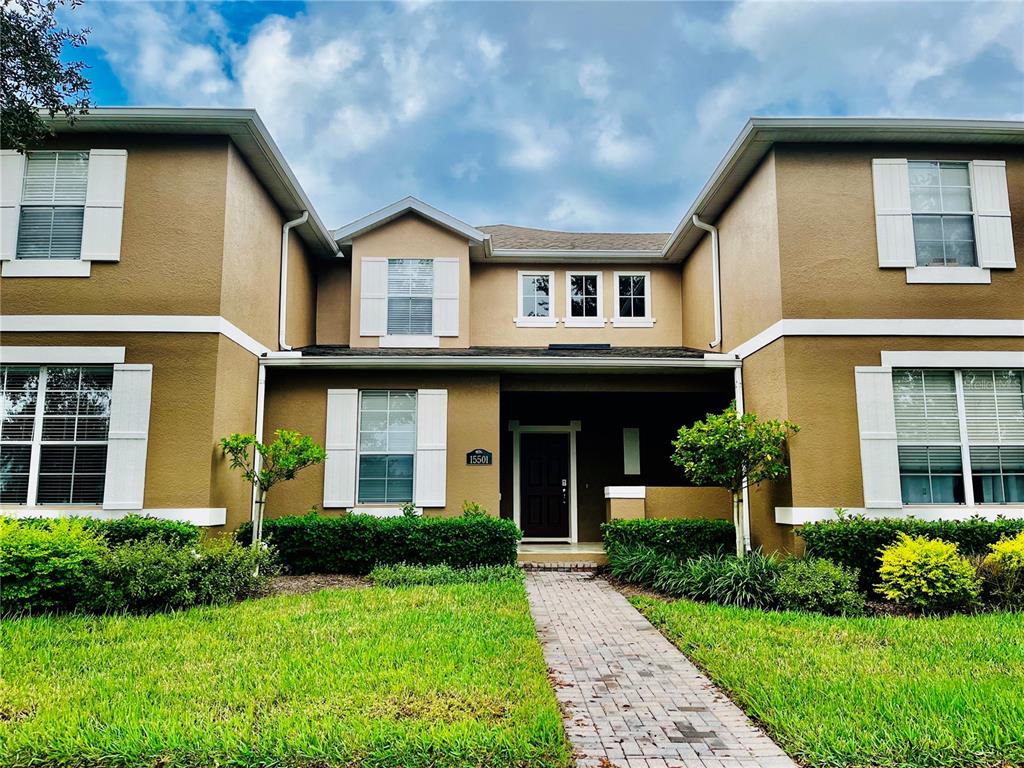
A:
(889, 692)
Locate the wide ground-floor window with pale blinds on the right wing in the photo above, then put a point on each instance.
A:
(960, 436)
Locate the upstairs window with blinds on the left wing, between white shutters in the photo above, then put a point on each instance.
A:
(53, 205)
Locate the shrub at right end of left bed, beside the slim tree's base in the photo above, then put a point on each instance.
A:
(226, 572)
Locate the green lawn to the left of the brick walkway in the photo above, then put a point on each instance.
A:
(425, 676)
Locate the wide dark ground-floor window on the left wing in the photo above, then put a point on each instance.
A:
(54, 434)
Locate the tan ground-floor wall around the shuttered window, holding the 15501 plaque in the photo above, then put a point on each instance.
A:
(297, 400)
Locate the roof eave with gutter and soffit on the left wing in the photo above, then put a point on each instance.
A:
(243, 127)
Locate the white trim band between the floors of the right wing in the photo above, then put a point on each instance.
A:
(878, 327)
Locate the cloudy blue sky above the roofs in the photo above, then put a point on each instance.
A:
(572, 116)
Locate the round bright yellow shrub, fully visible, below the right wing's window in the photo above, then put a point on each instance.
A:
(929, 575)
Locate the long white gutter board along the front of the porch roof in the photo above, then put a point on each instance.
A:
(459, 363)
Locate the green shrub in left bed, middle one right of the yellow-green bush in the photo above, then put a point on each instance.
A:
(146, 576)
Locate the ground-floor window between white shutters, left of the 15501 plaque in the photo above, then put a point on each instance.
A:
(388, 447)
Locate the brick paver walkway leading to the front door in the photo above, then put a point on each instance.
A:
(628, 696)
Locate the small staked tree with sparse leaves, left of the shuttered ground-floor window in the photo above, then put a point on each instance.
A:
(279, 461)
